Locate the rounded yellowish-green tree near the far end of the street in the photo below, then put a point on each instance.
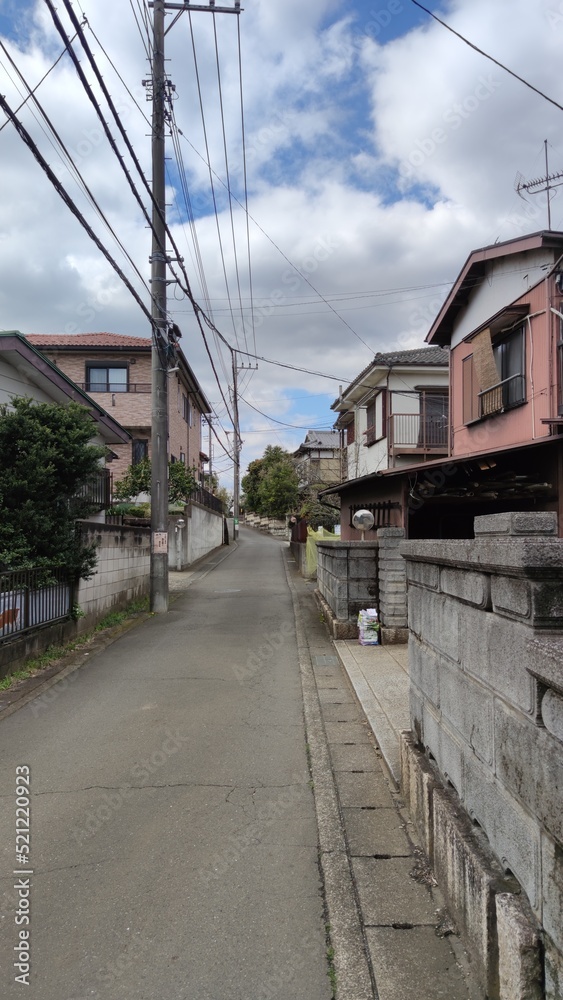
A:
(271, 484)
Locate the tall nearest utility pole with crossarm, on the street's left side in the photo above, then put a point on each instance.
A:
(160, 323)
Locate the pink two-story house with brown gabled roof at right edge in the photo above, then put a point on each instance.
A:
(503, 324)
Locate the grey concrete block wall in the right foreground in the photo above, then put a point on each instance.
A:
(486, 671)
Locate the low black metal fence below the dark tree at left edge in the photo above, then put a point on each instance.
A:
(34, 597)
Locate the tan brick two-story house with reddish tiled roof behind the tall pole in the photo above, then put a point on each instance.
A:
(115, 370)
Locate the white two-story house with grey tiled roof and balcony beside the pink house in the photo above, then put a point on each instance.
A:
(395, 412)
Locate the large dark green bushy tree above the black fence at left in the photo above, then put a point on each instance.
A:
(46, 465)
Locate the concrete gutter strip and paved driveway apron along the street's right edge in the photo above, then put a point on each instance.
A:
(390, 931)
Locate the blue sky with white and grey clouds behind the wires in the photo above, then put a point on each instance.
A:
(380, 150)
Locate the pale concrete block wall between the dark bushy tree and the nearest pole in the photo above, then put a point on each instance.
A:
(122, 571)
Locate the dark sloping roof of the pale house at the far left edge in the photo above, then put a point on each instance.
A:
(17, 350)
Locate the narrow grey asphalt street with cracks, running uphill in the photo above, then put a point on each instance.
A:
(173, 832)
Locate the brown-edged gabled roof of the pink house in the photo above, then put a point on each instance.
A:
(473, 271)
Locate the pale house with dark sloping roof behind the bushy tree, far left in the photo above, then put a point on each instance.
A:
(24, 371)
